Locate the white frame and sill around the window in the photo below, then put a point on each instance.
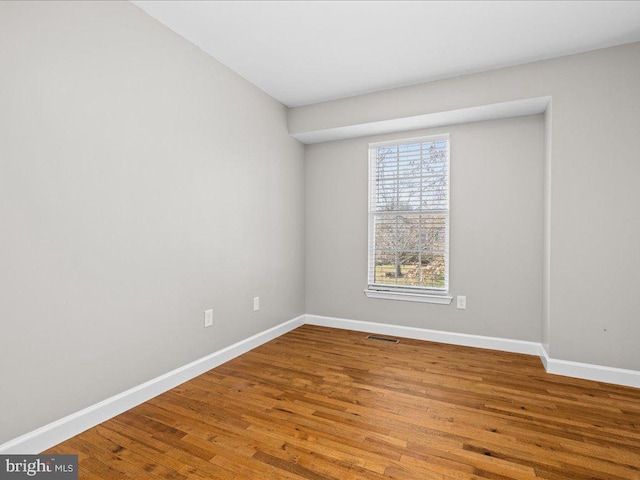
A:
(396, 292)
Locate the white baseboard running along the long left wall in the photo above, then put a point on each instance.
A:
(56, 432)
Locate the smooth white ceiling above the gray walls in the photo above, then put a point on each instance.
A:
(303, 52)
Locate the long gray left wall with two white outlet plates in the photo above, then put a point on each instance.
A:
(141, 182)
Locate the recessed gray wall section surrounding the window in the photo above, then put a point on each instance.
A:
(496, 181)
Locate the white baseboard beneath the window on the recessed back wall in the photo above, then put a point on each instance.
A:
(478, 341)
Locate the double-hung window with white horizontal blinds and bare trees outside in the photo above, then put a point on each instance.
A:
(409, 217)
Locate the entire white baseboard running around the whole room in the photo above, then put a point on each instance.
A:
(56, 432)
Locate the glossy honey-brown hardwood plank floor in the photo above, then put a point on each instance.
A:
(319, 403)
